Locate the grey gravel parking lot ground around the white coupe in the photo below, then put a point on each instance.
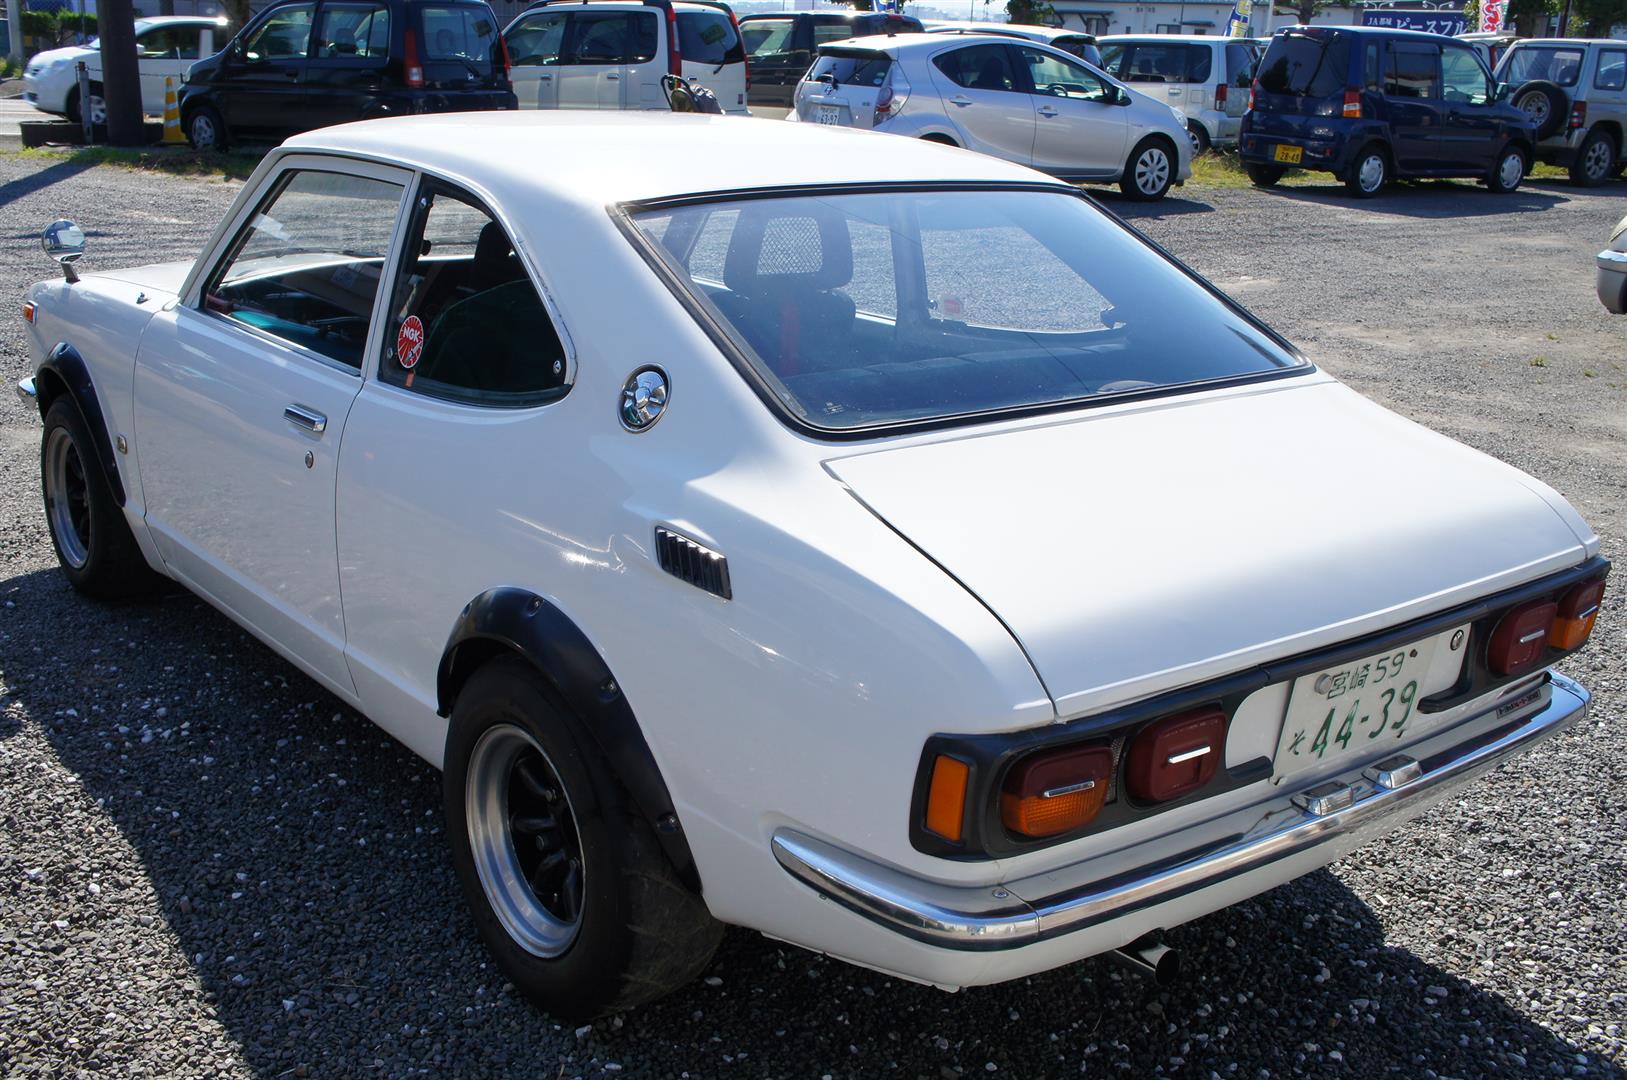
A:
(211, 868)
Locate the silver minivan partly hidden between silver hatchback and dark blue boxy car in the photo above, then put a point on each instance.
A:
(1203, 79)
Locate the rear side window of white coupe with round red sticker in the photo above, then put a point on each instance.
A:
(466, 321)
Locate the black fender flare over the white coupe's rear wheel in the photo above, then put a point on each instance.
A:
(513, 621)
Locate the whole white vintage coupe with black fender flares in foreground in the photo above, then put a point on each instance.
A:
(861, 541)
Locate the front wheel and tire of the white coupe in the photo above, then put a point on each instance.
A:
(95, 547)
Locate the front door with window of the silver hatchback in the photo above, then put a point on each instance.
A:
(1078, 128)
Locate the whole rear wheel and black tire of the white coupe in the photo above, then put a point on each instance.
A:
(564, 876)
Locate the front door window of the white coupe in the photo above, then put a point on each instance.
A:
(307, 269)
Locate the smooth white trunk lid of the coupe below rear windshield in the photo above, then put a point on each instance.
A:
(1148, 549)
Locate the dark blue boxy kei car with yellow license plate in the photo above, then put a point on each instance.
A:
(1374, 105)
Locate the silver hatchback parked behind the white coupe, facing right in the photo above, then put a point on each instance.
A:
(1014, 100)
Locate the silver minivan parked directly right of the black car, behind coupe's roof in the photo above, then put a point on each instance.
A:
(611, 54)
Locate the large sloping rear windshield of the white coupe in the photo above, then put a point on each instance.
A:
(886, 308)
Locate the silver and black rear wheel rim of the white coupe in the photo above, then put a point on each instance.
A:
(523, 835)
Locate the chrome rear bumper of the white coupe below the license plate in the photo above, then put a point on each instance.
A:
(993, 918)
